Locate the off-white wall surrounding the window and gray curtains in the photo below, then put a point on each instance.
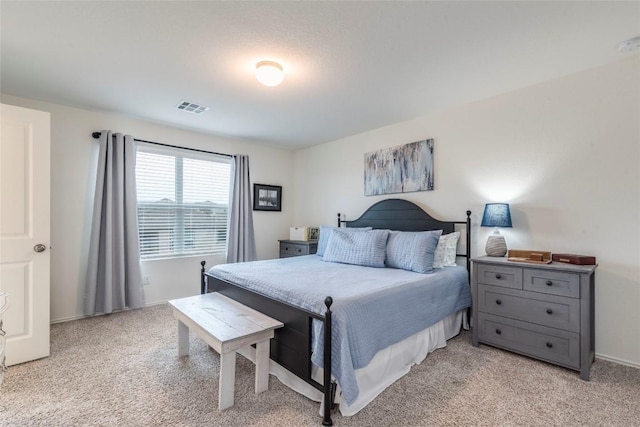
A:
(73, 167)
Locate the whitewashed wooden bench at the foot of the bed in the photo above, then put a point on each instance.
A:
(227, 326)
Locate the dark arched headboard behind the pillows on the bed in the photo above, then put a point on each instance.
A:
(403, 215)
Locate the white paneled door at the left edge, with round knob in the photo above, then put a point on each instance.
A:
(24, 231)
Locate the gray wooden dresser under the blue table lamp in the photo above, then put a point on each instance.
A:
(545, 311)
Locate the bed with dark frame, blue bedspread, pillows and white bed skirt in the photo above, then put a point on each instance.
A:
(342, 336)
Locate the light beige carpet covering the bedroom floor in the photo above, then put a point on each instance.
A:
(123, 370)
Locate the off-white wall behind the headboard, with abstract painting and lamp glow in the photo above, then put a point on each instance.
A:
(565, 154)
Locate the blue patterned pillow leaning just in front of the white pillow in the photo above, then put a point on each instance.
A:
(412, 250)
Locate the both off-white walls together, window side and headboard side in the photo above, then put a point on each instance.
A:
(564, 153)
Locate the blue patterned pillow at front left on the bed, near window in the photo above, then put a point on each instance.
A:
(366, 248)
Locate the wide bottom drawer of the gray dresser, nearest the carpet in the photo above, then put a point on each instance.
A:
(552, 345)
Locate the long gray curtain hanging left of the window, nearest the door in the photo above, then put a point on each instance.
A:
(114, 277)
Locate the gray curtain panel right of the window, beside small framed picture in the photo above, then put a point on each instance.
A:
(241, 244)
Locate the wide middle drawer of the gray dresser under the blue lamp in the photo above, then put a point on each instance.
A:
(548, 310)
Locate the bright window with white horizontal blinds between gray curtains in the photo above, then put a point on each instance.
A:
(183, 202)
